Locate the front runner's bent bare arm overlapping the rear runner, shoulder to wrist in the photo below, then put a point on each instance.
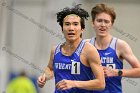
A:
(95, 64)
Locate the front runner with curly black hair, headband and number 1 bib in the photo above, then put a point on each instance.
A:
(74, 63)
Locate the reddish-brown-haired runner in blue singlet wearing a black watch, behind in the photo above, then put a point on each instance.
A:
(112, 50)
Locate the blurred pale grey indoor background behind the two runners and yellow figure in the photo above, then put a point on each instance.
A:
(28, 30)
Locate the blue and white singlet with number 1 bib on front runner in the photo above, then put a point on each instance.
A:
(71, 68)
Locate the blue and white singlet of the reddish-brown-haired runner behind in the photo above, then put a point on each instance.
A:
(110, 59)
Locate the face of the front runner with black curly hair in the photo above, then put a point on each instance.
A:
(72, 27)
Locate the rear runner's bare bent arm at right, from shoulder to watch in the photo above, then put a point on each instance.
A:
(127, 54)
